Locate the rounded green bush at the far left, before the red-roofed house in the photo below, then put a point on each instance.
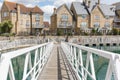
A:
(6, 26)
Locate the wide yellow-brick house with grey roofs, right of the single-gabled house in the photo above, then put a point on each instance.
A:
(91, 14)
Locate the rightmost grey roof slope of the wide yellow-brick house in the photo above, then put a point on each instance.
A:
(107, 10)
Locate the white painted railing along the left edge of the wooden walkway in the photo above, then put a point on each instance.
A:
(34, 60)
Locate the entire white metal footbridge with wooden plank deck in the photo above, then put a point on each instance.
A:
(59, 61)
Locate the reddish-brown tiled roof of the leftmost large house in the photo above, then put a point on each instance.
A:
(23, 9)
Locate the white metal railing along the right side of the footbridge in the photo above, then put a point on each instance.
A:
(75, 55)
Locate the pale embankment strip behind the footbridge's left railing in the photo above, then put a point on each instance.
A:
(19, 42)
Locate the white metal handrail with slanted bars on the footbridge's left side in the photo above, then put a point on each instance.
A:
(41, 53)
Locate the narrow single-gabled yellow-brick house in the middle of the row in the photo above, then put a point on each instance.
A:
(61, 20)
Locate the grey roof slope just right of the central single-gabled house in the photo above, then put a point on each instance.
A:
(79, 8)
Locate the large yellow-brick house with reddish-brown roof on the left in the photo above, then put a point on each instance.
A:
(25, 20)
